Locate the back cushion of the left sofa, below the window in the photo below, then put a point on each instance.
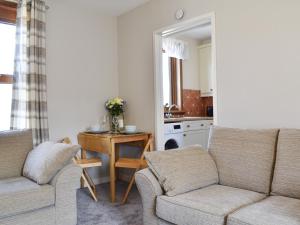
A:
(14, 147)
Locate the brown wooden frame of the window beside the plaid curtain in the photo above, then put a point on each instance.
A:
(8, 15)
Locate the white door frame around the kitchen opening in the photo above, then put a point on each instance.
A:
(158, 76)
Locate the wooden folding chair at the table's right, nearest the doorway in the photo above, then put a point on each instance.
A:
(136, 164)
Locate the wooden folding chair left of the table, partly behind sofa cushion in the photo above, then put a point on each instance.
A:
(84, 164)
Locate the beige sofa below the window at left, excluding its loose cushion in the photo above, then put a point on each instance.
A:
(22, 201)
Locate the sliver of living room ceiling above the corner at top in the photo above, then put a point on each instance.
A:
(111, 7)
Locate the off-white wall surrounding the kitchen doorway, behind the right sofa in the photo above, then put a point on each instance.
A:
(257, 59)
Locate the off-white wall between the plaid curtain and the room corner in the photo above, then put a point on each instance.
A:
(81, 67)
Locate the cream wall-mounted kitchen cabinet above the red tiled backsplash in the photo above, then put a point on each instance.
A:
(205, 70)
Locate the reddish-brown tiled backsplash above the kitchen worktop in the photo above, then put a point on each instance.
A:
(194, 104)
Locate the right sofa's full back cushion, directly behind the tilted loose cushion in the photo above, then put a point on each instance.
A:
(244, 158)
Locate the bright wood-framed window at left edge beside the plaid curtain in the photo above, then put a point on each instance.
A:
(7, 52)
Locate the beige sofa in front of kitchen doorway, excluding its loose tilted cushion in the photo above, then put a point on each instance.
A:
(258, 183)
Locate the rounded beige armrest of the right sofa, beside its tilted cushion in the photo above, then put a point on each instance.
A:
(149, 189)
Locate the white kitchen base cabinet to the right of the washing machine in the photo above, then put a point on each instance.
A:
(196, 132)
